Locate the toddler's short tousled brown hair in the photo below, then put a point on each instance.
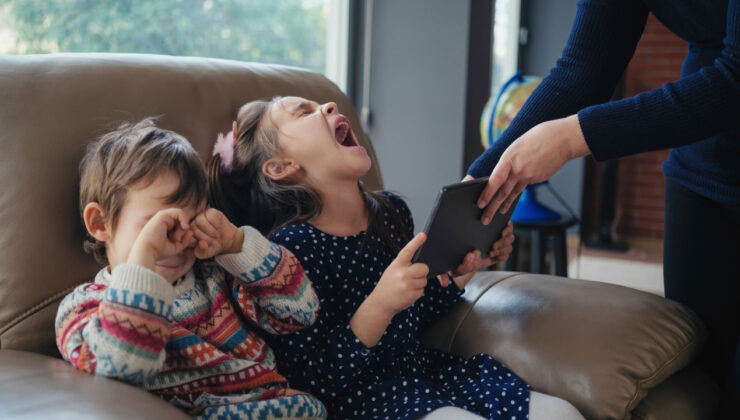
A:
(131, 154)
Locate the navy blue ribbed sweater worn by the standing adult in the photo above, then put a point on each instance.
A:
(698, 116)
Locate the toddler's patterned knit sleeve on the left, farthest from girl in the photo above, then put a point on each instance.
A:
(117, 331)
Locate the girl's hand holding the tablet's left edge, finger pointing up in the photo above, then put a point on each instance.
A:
(403, 282)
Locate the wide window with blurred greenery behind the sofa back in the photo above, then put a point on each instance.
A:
(304, 33)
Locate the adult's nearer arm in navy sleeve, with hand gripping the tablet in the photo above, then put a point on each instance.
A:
(697, 106)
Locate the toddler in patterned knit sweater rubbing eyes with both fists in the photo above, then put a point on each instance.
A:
(154, 317)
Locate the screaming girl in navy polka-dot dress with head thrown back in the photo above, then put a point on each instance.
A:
(292, 169)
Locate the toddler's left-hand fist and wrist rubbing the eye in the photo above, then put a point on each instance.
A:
(166, 234)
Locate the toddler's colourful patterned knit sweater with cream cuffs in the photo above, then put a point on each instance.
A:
(196, 343)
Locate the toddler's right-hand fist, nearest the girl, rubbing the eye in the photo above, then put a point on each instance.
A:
(215, 234)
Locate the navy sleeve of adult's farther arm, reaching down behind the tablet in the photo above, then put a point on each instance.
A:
(601, 43)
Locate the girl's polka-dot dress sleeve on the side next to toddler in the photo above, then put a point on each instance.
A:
(326, 357)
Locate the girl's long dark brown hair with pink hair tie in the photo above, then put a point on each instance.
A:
(249, 197)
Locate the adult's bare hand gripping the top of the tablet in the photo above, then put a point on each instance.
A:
(533, 157)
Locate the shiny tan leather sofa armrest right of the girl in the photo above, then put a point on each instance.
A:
(599, 346)
